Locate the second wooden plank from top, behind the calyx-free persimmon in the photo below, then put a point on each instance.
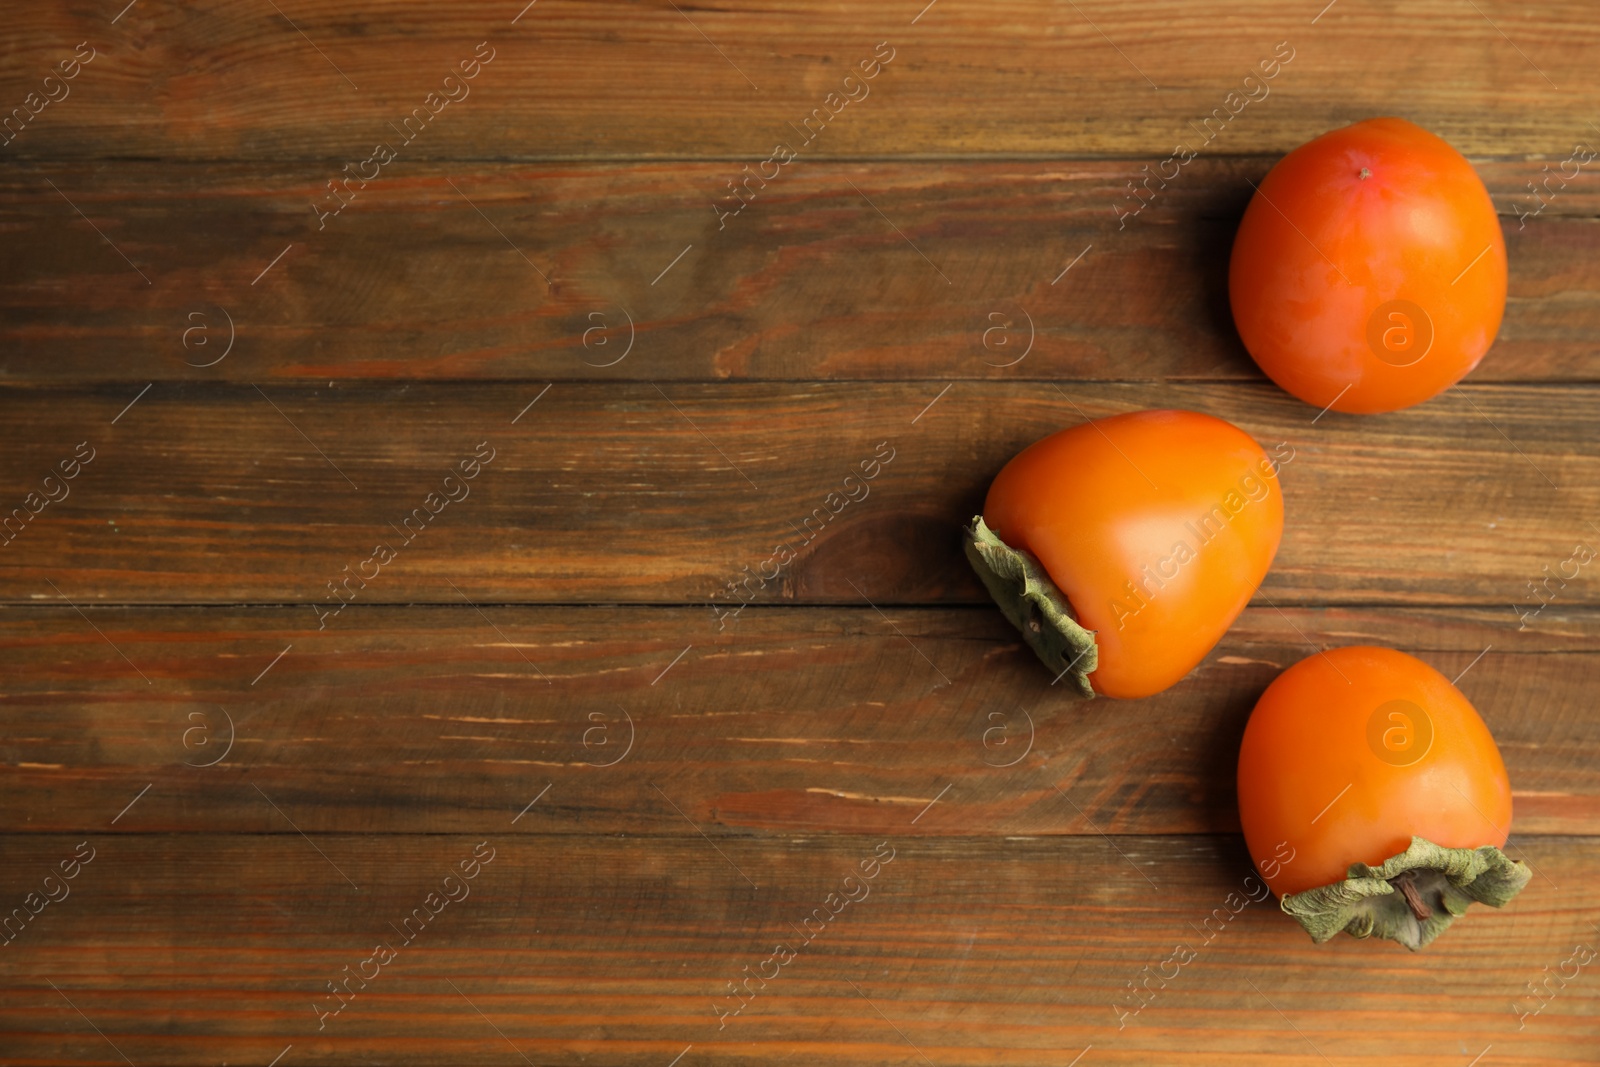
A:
(572, 271)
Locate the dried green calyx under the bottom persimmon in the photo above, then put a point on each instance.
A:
(1410, 898)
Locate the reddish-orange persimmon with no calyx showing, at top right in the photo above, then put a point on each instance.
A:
(1370, 270)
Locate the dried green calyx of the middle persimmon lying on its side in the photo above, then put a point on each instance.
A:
(1026, 596)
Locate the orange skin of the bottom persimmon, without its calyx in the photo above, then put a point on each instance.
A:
(1311, 773)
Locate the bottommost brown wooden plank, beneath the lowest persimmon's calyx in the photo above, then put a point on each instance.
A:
(201, 949)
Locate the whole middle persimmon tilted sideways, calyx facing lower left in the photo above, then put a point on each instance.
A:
(1126, 548)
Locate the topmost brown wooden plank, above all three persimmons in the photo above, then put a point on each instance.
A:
(647, 81)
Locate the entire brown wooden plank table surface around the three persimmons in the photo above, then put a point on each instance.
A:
(374, 617)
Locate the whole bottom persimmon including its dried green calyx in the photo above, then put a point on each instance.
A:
(1374, 799)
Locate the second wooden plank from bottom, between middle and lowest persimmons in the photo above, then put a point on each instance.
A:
(791, 721)
